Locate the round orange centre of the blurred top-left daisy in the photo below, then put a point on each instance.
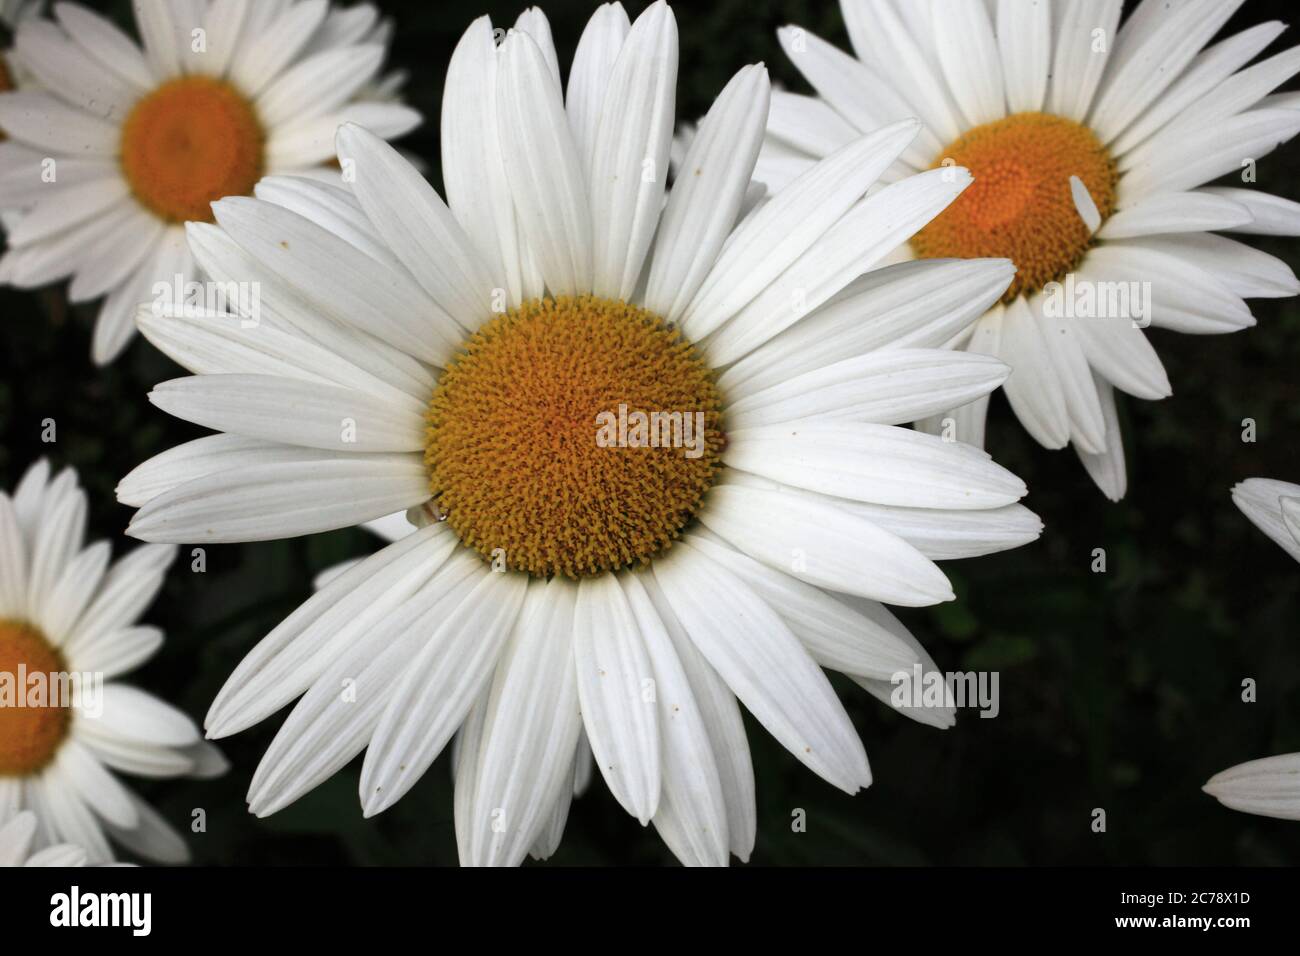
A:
(189, 144)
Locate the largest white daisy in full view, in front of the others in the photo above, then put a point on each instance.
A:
(475, 362)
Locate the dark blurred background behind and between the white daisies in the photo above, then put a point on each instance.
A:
(1119, 691)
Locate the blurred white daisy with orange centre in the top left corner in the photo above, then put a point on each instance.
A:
(124, 145)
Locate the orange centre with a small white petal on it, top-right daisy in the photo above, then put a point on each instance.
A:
(1020, 206)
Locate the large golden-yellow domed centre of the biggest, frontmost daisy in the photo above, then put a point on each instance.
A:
(573, 436)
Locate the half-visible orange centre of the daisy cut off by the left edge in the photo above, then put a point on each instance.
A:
(31, 736)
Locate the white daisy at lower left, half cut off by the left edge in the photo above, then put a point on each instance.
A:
(67, 633)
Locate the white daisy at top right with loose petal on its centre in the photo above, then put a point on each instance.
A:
(1091, 145)
